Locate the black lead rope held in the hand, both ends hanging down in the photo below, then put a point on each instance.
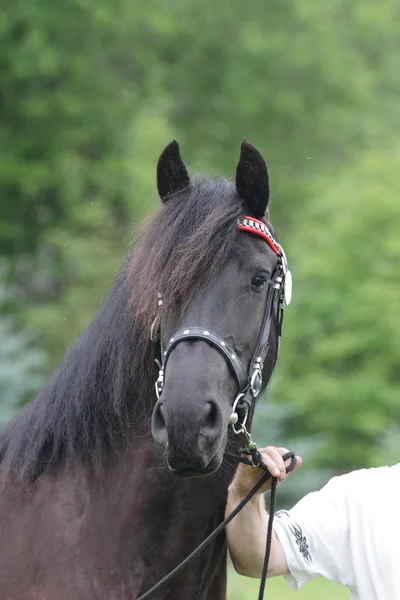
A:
(192, 557)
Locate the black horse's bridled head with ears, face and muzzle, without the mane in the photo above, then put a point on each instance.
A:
(218, 351)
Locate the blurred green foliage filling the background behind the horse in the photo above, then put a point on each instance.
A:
(90, 94)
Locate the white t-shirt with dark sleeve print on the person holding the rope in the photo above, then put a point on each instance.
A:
(349, 532)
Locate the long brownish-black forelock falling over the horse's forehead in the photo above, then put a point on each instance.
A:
(183, 246)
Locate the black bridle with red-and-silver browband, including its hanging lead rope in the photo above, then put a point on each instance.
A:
(249, 385)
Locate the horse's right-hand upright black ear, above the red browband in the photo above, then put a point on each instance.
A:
(252, 180)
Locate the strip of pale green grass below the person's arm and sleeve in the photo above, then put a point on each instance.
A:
(244, 588)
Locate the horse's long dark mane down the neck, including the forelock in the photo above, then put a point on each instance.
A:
(105, 385)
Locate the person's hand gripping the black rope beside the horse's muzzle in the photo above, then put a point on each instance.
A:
(246, 476)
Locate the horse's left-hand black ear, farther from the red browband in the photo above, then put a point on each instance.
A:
(172, 175)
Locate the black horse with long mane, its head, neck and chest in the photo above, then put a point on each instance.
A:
(102, 493)
